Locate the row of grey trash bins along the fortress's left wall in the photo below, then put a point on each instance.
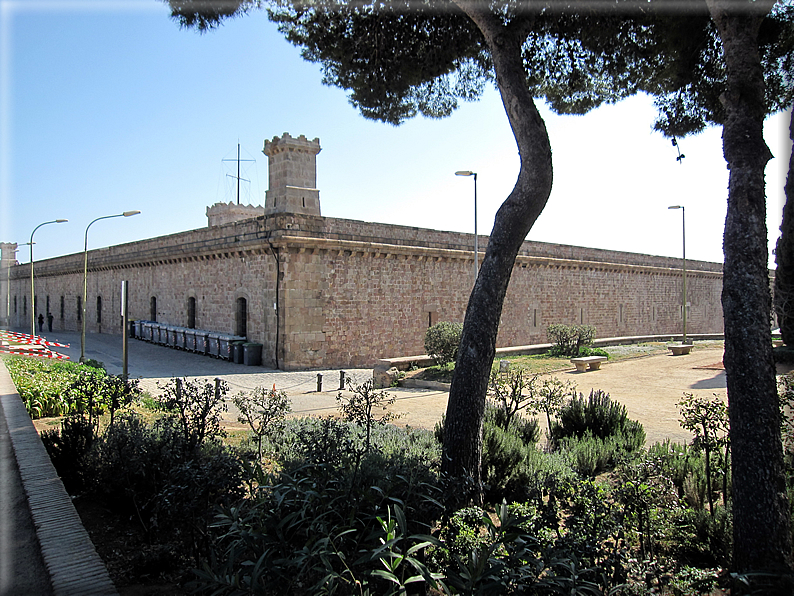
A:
(219, 345)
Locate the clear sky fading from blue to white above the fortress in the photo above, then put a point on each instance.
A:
(107, 106)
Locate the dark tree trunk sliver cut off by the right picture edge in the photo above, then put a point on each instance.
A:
(784, 257)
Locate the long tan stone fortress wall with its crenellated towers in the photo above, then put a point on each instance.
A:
(326, 292)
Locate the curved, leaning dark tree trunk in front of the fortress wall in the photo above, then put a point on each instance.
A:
(466, 406)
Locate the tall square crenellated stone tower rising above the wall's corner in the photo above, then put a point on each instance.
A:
(292, 168)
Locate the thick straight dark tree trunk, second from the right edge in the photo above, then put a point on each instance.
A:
(762, 539)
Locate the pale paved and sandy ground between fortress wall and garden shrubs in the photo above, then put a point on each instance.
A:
(649, 387)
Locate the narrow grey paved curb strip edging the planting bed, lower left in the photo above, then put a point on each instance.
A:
(71, 560)
